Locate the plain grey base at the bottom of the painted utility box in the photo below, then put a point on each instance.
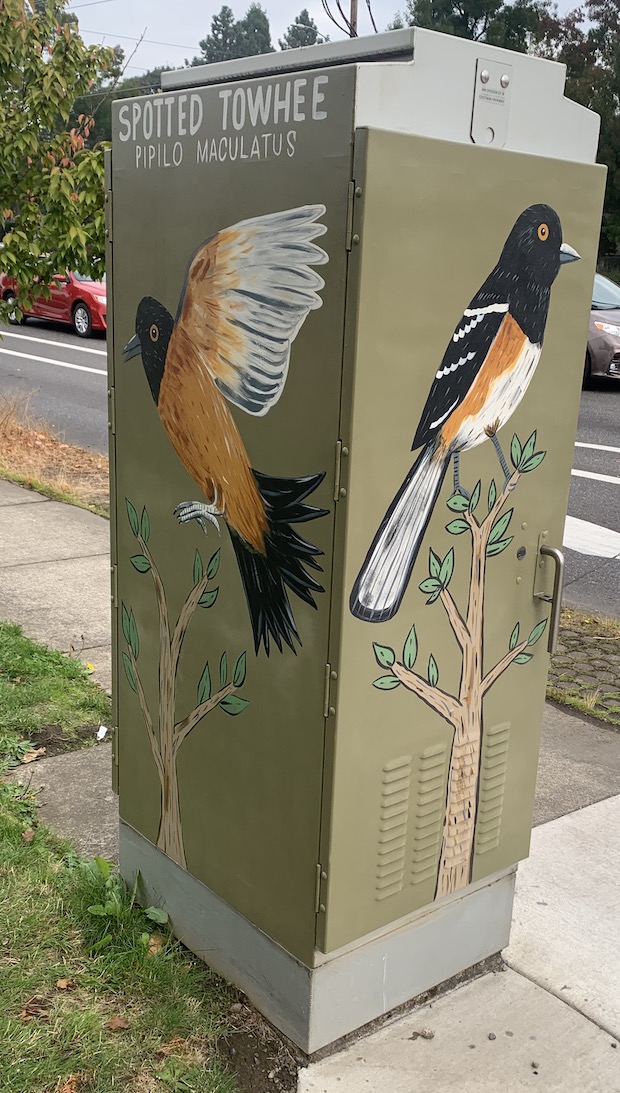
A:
(346, 990)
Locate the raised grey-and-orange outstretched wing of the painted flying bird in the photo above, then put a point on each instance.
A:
(248, 292)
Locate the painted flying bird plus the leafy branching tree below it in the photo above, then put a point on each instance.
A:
(248, 292)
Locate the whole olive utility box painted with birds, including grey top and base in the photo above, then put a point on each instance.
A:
(350, 298)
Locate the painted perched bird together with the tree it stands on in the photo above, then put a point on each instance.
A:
(481, 382)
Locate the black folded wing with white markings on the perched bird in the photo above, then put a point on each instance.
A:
(462, 361)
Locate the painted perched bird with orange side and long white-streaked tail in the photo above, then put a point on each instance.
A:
(482, 380)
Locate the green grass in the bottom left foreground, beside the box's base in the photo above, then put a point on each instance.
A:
(172, 1008)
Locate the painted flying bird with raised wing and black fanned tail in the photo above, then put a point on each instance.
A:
(248, 293)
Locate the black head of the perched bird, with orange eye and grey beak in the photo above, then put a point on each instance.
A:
(534, 251)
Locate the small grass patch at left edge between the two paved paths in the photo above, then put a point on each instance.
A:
(39, 688)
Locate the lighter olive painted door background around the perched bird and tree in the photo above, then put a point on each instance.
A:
(432, 219)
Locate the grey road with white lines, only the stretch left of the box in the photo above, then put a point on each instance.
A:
(67, 375)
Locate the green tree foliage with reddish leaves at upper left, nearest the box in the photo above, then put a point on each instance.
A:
(52, 199)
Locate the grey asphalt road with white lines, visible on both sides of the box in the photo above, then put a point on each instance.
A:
(68, 378)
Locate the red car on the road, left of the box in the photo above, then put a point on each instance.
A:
(75, 300)
